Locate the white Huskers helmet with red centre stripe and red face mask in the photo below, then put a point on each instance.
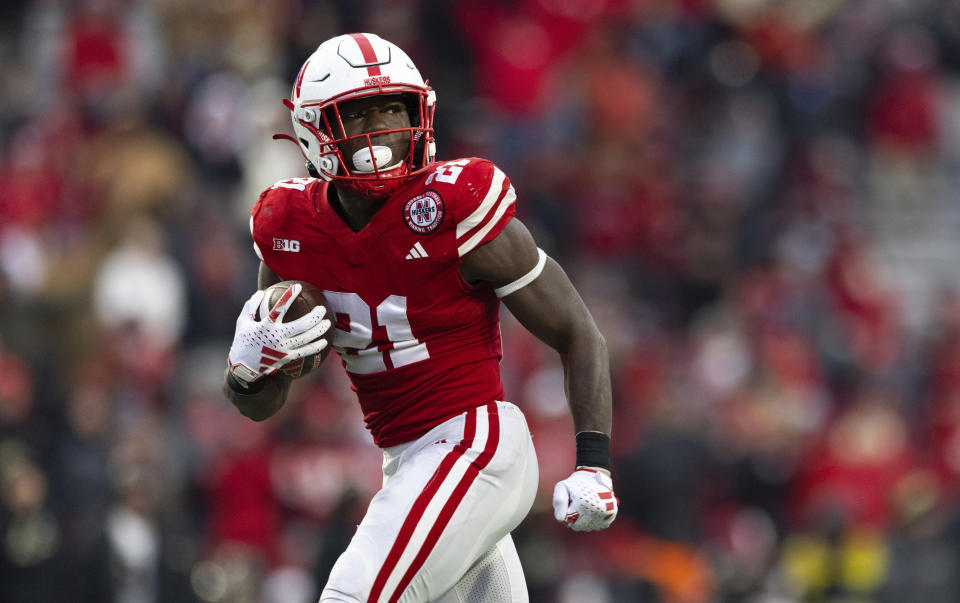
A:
(346, 68)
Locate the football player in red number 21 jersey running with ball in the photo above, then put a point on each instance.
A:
(414, 256)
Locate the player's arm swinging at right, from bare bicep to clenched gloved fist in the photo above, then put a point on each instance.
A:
(540, 295)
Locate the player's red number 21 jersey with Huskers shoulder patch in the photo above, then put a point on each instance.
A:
(419, 343)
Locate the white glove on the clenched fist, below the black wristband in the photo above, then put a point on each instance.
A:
(585, 502)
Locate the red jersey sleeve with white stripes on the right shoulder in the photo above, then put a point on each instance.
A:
(486, 203)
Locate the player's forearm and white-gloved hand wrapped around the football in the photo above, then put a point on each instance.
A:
(259, 395)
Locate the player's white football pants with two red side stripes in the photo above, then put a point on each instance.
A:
(440, 526)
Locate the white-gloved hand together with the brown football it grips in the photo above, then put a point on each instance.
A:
(281, 329)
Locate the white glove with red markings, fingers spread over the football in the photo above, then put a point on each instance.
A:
(261, 347)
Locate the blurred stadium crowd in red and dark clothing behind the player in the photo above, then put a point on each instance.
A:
(758, 199)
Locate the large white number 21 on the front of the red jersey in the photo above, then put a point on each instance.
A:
(356, 337)
